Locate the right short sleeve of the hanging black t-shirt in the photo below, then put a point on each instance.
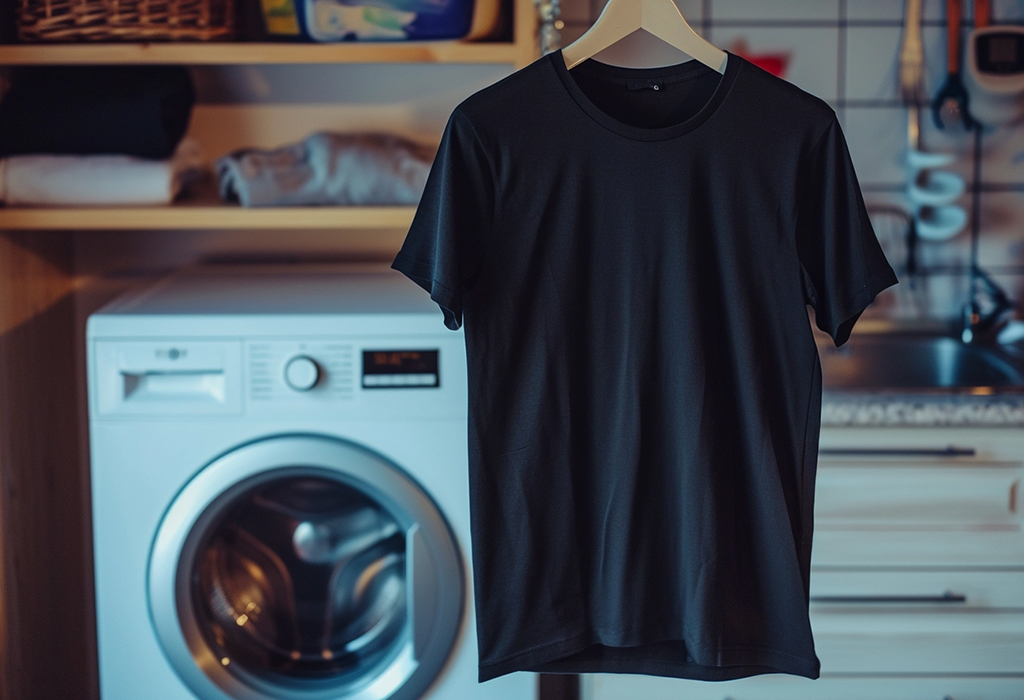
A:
(843, 266)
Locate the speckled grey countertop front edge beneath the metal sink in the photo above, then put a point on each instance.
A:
(894, 410)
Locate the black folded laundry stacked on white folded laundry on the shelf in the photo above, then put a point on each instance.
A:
(98, 136)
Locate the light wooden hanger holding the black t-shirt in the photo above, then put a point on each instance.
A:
(660, 18)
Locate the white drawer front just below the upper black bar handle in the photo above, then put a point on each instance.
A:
(918, 492)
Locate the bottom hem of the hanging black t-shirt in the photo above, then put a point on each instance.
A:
(732, 664)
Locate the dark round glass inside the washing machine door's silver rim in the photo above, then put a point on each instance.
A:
(303, 578)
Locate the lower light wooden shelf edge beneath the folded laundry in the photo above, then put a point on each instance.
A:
(200, 218)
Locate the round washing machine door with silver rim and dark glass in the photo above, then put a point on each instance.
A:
(305, 567)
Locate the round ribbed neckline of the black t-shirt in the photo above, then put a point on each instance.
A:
(691, 68)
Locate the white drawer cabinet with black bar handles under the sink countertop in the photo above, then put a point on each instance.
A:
(917, 575)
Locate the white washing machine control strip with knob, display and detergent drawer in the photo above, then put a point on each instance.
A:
(319, 378)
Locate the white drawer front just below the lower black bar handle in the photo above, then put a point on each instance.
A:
(919, 643)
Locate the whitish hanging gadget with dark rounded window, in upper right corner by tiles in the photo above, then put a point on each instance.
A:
(995, 73)
